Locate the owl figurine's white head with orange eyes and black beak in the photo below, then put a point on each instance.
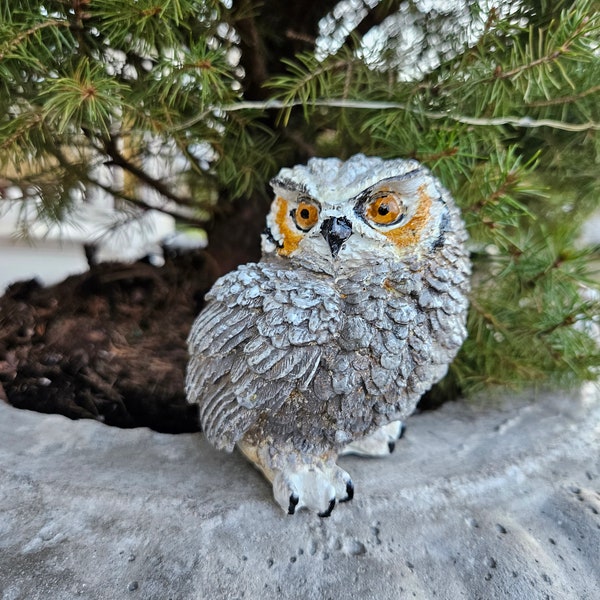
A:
(332, 214)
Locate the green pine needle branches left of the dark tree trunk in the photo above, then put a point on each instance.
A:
(82, 84)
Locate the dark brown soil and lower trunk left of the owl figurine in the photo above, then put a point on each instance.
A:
(110, 344)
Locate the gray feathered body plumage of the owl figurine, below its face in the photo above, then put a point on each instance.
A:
(320, 360)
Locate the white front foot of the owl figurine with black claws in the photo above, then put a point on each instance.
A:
(316, 487)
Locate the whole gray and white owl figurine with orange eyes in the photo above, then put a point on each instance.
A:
(356, 308)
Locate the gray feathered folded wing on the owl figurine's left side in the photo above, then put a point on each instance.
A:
(251, 347)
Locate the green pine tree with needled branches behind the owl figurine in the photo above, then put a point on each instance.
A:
(500, 99)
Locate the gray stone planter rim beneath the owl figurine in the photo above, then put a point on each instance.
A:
(475, 503)
